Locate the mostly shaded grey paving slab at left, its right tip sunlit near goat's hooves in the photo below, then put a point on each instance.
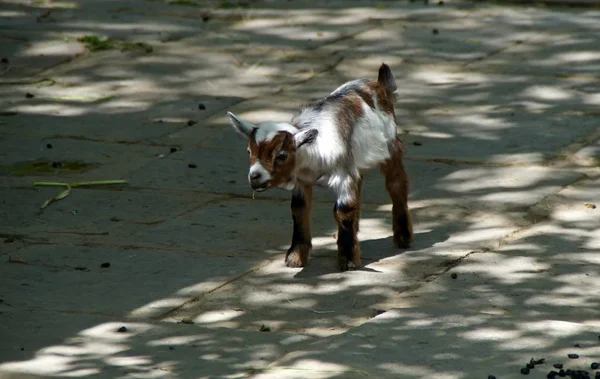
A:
(35, 269)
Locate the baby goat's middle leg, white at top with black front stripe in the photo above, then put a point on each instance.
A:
(347, 213)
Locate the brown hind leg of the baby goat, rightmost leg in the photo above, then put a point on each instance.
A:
(396, 183)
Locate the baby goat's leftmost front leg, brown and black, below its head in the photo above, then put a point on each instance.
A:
(298, 253)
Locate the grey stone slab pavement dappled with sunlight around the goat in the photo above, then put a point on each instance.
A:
(498, 106)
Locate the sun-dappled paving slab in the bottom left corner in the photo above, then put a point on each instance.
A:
(155, 350)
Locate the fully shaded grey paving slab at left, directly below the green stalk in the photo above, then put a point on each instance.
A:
(92, 214)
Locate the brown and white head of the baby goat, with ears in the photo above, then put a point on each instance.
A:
(272, 148)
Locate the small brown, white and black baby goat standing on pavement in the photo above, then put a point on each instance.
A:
(330, 143)
